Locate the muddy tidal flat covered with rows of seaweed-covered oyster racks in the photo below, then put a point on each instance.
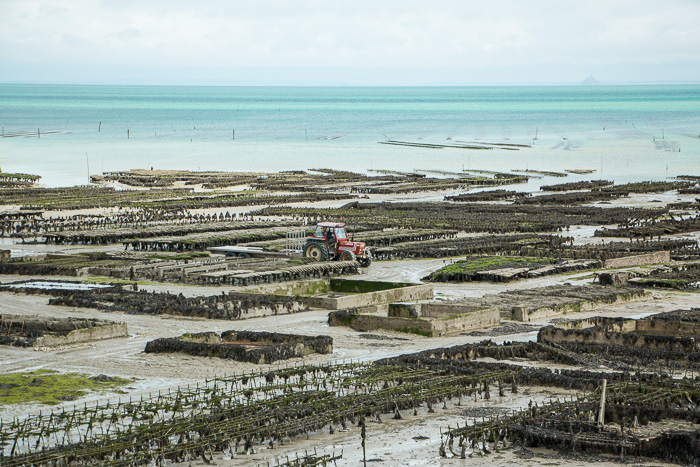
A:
(150, 238)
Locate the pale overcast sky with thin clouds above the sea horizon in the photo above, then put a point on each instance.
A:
(339, 42)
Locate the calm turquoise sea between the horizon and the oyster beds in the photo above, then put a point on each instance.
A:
(625, 133)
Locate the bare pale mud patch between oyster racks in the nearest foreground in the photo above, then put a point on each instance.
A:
(415, 441)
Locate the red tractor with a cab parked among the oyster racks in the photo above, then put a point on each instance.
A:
(330, 242)
